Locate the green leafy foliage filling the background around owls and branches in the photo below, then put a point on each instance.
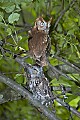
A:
(19, 15)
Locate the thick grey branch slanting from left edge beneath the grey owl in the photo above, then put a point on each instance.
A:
(25, 93)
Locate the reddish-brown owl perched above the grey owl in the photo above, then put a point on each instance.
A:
(39, 41)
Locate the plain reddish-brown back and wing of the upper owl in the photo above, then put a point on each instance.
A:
(37, 43)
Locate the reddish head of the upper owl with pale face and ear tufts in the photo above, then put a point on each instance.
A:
(42, 25)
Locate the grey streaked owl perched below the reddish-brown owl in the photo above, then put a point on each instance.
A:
(38, 84)
